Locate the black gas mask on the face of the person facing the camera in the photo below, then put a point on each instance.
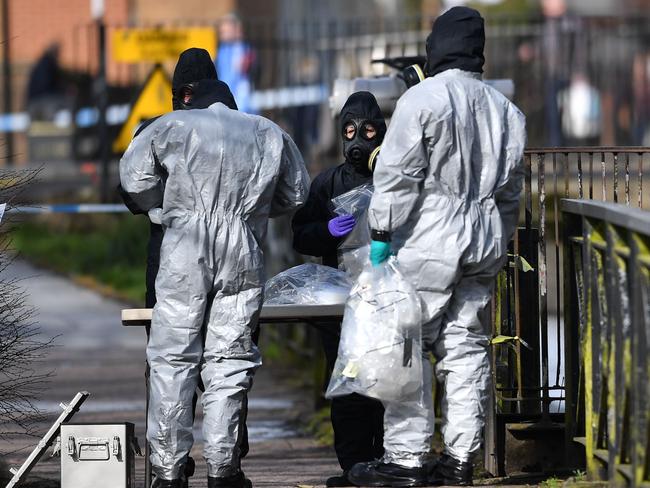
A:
(361, 142)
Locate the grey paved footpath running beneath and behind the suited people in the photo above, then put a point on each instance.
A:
(96, 354)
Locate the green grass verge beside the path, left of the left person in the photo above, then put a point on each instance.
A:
(105, 252)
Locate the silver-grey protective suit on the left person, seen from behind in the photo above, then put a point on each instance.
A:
(218, 175)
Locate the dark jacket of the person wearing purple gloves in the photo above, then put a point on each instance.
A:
(310, 233)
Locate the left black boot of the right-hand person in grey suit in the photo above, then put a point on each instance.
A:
(377, 473)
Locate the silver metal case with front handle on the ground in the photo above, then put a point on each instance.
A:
(97, 455)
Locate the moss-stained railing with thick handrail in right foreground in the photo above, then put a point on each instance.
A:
(607, 324)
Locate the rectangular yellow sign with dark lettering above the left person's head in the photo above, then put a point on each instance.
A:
(161, 44)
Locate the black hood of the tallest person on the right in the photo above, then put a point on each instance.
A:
(457, 40)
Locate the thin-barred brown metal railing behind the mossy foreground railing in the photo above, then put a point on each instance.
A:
(529, 359)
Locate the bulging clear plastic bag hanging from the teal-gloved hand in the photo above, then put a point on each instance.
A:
(380, 352)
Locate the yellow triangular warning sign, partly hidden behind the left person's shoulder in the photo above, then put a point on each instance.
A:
(154, 99)
